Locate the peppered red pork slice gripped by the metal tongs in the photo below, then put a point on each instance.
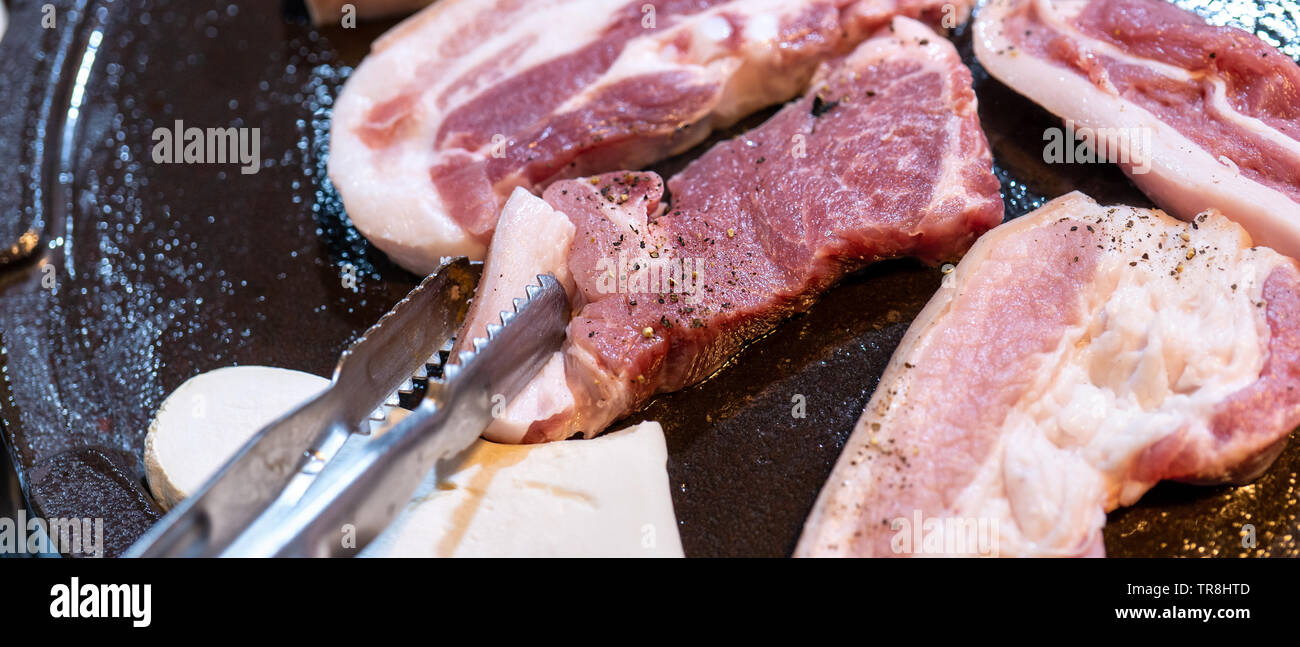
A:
(883, 158)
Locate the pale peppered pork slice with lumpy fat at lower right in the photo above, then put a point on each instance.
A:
(1076, 358)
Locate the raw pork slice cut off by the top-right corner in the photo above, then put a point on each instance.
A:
(1201, 116)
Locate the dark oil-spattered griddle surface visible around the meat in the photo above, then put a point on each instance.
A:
(153, 273)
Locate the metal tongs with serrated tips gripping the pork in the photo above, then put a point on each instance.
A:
(317, 483)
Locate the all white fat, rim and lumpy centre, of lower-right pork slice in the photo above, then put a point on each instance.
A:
(1152, 359)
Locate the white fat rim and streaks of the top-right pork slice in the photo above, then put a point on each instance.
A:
(1184, 179)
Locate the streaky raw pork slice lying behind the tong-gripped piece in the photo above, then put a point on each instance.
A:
(470, 99)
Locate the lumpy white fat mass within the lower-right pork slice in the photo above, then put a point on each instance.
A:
(1156, 357)
